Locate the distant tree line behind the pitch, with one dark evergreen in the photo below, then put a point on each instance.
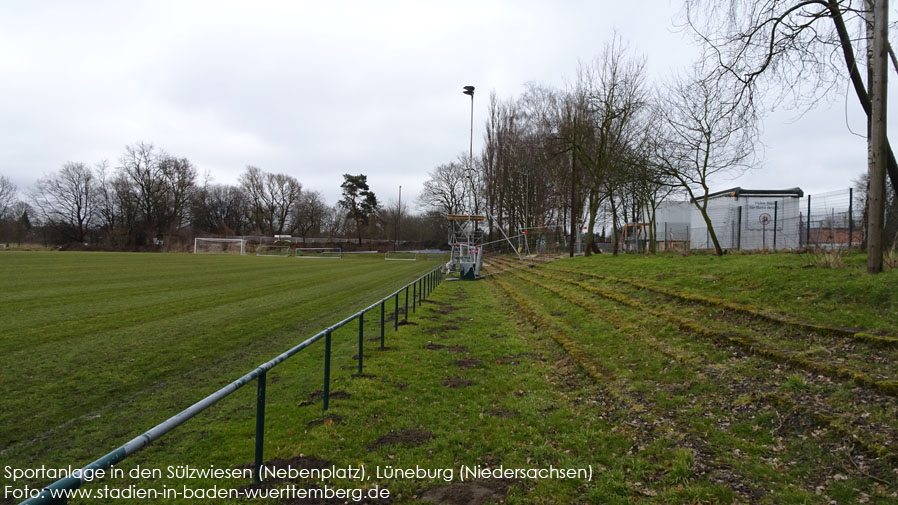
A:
(154, 200)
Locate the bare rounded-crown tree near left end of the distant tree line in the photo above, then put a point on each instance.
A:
(67, 200)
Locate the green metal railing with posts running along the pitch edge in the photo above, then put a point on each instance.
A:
(421, 288)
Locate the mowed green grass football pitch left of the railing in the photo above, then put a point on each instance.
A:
(97, 347)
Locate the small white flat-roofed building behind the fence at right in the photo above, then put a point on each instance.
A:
(749, 219)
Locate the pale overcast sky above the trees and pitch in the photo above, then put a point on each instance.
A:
(318, 89)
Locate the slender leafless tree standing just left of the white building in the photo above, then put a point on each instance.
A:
(702, 134)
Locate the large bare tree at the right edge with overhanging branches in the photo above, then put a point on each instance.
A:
(803, 48)
